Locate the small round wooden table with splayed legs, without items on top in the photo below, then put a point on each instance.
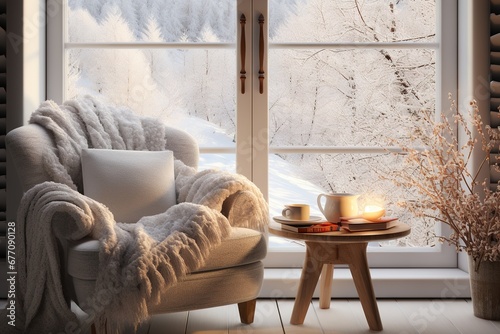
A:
(323, 250)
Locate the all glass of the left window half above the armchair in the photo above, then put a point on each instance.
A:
(187, 88)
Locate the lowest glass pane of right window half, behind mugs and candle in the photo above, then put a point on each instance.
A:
(300, 178)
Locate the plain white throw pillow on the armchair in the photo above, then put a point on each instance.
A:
(132, 184)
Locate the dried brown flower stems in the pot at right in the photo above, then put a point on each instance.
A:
(449, 193)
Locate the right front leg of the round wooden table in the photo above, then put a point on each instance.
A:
(362, 280)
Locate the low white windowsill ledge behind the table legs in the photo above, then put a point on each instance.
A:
(387, 283)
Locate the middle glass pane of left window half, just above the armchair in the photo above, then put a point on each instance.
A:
(182, 87)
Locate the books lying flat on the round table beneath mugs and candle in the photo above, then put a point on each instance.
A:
(349, 224)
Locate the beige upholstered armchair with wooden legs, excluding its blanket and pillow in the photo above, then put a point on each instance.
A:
(231, 273)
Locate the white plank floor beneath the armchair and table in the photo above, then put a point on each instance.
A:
(401, 316)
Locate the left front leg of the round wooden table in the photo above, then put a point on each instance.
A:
(308, 280)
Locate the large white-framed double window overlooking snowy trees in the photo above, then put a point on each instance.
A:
(336, 77)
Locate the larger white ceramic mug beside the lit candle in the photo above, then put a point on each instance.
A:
(338, 205)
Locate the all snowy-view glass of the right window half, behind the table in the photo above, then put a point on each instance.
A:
(342, 96)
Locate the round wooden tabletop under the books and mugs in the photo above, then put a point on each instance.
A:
(343, 236)
